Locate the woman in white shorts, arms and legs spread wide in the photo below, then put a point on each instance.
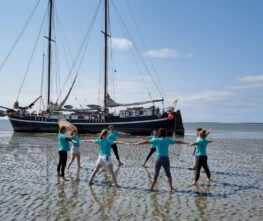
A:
(104, 155)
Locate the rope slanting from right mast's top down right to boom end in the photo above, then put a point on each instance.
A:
(125, 29)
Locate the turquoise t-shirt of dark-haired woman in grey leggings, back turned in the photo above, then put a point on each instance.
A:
(162, 145)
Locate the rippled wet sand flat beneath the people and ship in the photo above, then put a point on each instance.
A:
(30, 189)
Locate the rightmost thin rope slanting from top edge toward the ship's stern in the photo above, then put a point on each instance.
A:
(146, 49)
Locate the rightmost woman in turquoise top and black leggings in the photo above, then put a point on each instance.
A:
(201, 156)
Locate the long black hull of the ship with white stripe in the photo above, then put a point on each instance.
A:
(139, 125)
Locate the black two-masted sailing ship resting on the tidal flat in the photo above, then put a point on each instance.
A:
(135, 119)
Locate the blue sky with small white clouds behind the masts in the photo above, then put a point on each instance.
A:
(207, 54)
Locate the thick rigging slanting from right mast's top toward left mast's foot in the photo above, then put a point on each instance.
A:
(82, 50)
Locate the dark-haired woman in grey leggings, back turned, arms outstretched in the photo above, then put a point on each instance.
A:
(162, 155)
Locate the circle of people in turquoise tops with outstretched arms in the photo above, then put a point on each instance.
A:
(107, 140)
